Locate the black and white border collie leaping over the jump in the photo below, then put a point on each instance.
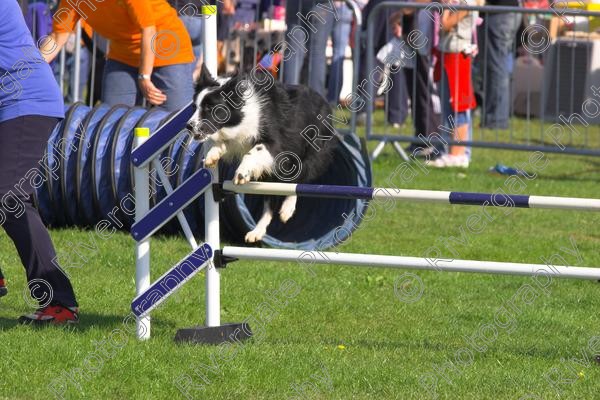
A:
(278, 133)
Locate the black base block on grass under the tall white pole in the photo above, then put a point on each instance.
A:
(214, 334)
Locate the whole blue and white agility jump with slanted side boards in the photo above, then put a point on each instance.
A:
(212, 257)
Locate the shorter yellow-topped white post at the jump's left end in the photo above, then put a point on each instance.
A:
(141, 180)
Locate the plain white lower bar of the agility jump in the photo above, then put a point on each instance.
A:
(307, 258)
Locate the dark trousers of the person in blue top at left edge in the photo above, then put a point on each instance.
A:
(22, 143)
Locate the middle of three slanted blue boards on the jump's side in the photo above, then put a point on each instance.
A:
(180, 198)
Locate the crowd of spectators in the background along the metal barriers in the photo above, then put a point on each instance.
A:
(465, 66)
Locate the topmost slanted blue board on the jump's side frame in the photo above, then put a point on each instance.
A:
(163, 137)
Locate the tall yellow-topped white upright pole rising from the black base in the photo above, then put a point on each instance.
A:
(211, 207)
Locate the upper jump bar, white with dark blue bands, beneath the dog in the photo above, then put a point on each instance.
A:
(431, 196)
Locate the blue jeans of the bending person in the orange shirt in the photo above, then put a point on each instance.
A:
(120, 85)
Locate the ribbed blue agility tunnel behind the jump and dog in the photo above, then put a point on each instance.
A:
(89, 175)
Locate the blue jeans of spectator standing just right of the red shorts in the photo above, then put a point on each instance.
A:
(497, 56)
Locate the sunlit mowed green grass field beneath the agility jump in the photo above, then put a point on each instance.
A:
(342, 332)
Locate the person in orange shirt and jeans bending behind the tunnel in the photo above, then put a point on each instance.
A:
(150, 53)
